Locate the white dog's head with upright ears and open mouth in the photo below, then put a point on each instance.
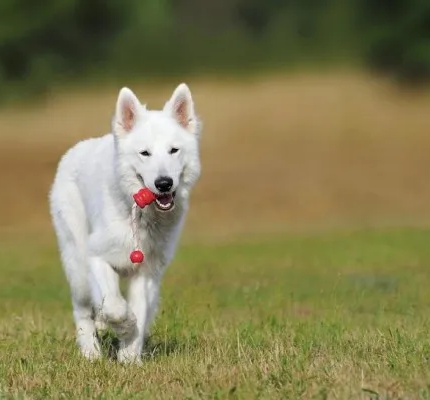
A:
(159, 149)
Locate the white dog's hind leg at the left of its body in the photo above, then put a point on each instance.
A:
(70, 225)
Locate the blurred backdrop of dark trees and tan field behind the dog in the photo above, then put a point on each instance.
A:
(315, 112)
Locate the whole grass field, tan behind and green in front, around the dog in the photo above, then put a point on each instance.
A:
(307, 278)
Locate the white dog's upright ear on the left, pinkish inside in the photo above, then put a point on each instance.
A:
(127, 109)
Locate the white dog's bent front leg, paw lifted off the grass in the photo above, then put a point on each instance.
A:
(107, 297)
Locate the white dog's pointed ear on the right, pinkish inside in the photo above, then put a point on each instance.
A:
(181, 107)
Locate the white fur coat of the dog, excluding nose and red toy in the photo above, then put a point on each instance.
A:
(91, 202)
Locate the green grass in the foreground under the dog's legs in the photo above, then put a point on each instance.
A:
(336, 316)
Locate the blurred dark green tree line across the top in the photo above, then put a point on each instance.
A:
(45, 41)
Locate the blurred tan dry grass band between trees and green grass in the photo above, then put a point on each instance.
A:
(287, 153)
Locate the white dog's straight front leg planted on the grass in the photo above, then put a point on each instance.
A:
(143, 299)
